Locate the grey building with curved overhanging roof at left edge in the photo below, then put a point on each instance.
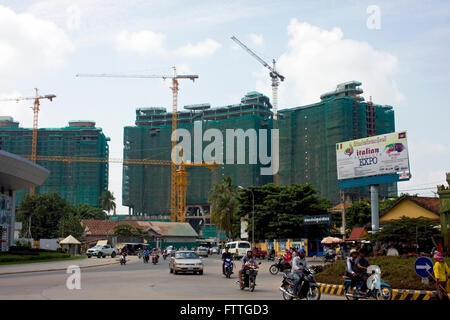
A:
(16, 173)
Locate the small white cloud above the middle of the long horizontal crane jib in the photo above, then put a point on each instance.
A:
(142, 42)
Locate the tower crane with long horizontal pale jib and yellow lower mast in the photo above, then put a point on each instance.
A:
(174, 198)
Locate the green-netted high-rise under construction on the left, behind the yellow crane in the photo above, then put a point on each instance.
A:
(77, 182)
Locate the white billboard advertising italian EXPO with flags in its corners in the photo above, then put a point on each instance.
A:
(385, 154)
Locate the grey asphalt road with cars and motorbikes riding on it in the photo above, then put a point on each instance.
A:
(142, 281)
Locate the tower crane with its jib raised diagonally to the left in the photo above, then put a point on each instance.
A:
(275, 78)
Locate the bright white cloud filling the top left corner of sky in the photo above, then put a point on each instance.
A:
(28, 43)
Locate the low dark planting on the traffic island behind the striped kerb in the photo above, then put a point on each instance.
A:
(396, 271)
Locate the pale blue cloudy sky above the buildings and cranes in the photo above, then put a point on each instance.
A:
(398, 50)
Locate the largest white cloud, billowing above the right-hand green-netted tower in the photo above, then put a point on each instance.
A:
(317, 60)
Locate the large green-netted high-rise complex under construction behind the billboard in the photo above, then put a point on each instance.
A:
(308, 137)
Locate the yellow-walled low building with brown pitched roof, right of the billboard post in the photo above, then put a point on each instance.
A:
(412, 207)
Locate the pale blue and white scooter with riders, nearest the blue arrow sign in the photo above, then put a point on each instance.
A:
(375, 287)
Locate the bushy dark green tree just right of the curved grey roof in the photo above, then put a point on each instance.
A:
(44, 212)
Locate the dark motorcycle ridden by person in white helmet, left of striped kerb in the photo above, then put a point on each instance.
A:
(309, 289)
